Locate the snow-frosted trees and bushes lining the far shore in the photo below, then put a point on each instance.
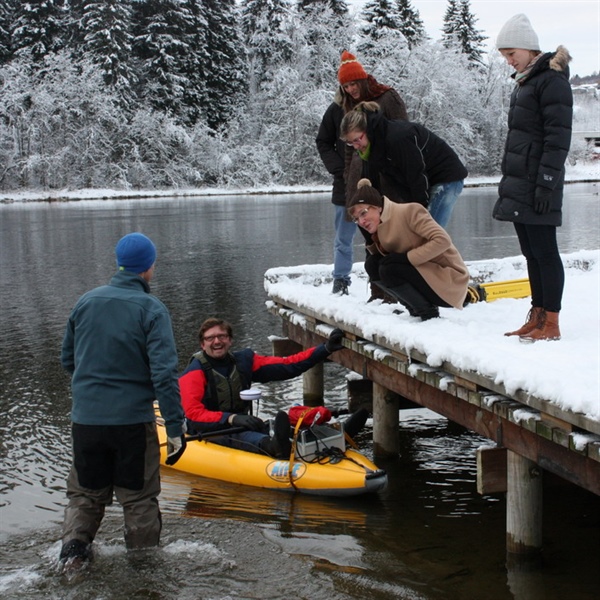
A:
(162, 93)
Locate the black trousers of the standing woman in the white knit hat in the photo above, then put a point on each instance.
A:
(544, 266)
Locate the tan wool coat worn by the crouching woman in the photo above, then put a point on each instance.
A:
(409, 228)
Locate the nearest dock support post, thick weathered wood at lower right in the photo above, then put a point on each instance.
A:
(523, 508)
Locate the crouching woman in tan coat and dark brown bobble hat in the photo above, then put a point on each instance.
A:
(412, 257)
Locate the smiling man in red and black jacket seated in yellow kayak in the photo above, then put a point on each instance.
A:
(211, 384)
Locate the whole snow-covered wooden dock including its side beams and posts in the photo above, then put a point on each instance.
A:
(539, 404)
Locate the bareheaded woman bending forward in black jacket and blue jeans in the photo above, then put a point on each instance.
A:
(405, 161)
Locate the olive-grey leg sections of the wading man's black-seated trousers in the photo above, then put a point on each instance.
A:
(141, 513)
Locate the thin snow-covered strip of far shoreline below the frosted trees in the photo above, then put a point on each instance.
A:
(50, 196)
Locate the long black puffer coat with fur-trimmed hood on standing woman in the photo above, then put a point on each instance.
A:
(538, 140)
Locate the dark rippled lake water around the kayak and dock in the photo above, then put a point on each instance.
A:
(429, 535)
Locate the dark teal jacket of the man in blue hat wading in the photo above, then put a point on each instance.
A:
(119, 348)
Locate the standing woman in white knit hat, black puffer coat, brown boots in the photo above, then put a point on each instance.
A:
(533, 167)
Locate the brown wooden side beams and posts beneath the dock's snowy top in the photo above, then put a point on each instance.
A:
(531, 435)
